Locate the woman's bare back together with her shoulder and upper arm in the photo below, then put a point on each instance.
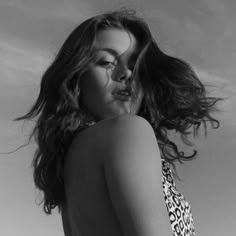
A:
(95, 190)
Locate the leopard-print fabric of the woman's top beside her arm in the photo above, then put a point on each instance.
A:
(178, 208)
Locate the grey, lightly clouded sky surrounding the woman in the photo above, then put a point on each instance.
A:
(201, 32)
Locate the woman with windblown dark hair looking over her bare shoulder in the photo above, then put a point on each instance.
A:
(105, 107)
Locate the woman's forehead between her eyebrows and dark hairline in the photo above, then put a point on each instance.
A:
(116, 41)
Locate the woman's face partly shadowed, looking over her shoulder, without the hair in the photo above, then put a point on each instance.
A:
(116, 51)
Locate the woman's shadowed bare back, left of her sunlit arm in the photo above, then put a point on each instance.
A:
(88, 210)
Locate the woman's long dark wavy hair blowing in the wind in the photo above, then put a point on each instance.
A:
(174, 99)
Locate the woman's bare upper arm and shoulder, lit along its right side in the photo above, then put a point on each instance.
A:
(133, 174)
